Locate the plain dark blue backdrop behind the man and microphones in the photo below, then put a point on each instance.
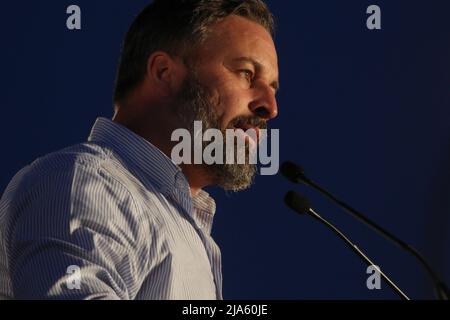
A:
(367, 113)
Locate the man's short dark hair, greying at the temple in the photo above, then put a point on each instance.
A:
(176, 27)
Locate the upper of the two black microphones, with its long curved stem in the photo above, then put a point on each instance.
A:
(296, 174)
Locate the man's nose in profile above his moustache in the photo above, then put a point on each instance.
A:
(265, 104)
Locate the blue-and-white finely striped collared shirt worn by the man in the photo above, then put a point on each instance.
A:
(112, 218)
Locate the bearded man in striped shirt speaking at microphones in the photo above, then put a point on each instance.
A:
(115, 218)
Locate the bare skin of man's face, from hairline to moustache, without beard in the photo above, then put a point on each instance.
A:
(238, 63)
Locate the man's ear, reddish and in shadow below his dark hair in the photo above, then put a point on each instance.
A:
(165, 72)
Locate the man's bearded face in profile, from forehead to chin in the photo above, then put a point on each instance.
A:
(231, 86)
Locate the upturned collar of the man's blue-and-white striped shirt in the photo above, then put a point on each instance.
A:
(154, 169)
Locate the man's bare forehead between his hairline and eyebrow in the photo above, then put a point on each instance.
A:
(236, 37)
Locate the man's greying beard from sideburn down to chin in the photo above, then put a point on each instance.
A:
(195, 103)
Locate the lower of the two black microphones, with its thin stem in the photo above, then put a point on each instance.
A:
(301, 205)
